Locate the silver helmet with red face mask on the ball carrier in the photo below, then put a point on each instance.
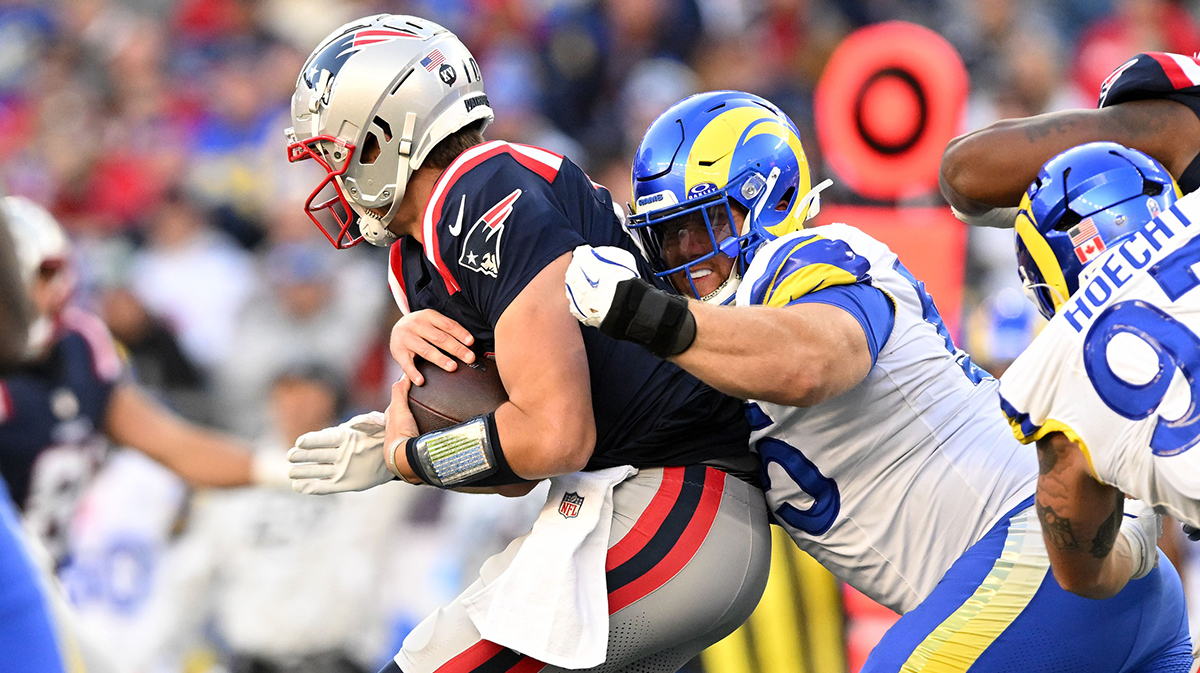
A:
(371, 103)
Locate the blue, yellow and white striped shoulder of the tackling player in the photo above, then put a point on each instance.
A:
(799, 266)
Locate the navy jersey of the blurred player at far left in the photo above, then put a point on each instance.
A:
(52, 418)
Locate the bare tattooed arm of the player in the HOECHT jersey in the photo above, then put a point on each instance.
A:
(1081, 522)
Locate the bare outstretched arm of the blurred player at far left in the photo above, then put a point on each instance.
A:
(201, 456)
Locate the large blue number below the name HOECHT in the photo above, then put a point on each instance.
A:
(1177, 347)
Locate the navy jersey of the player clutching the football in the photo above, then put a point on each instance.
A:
(497, 217)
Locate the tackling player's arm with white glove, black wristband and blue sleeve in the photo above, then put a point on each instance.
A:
(809, 335)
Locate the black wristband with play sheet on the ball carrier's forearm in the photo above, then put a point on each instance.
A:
(467, 454)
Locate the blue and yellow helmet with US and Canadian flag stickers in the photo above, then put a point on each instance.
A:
(1084, 202)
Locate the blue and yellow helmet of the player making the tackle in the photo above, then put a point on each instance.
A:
(698, 159)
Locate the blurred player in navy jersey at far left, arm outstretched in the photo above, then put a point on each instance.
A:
(73, 395)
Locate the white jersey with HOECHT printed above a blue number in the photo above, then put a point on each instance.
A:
(1118, 370)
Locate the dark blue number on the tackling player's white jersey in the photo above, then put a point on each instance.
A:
(826, 498)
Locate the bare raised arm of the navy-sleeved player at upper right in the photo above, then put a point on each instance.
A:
(994, 166)
